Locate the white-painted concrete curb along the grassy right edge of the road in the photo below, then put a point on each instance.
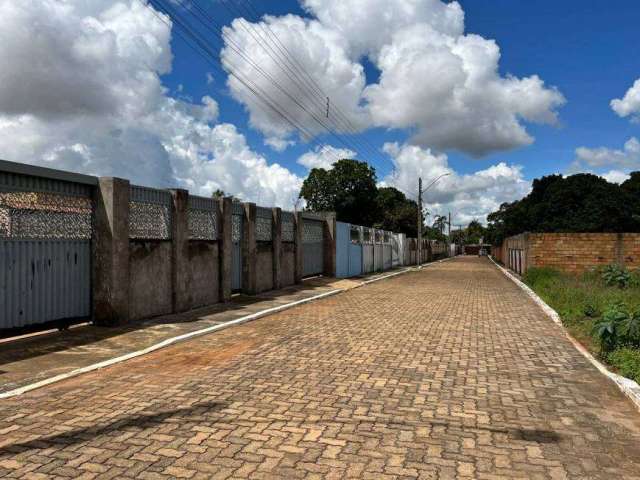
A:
(630, 388)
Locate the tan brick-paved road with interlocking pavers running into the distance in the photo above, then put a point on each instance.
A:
(447, 373)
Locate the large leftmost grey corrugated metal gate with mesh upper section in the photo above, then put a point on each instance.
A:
(45, 246)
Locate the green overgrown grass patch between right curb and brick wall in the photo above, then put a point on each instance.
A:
(581, 301)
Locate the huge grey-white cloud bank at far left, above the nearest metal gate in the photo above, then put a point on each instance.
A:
(80, 89)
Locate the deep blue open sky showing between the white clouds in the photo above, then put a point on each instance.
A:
(583, 48)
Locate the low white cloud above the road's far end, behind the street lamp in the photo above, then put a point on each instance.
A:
(468, 196)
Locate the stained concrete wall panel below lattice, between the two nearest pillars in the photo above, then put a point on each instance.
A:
(150, 291)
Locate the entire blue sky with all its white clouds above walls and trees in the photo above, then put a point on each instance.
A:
(490, 94)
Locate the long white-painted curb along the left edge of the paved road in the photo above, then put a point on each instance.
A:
(190, 335)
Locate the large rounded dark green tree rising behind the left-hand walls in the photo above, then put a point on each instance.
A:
(349, 189)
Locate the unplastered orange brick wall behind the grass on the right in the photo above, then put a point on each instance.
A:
(569, 252)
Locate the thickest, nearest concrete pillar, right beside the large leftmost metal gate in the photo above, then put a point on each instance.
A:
(111, 252)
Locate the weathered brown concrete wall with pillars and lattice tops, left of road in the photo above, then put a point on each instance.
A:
(178, 270)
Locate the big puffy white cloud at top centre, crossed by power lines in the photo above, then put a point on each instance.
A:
(438, 81)
